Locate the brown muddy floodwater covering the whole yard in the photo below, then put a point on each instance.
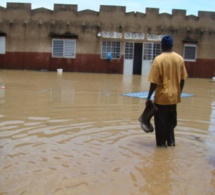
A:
(75, 133)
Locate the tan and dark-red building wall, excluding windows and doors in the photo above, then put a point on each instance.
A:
(29, 44)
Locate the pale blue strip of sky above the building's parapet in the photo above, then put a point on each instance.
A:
(165, 6)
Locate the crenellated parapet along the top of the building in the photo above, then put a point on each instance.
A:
(109, 10)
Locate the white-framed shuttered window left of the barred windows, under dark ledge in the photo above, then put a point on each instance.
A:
(64, 48)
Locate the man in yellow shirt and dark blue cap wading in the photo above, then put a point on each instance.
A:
(166, 78)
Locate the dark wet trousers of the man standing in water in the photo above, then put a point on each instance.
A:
(165, 122)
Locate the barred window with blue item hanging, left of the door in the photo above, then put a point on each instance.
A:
(114, 47)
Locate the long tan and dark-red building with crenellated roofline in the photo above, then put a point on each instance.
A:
(108, 41)
